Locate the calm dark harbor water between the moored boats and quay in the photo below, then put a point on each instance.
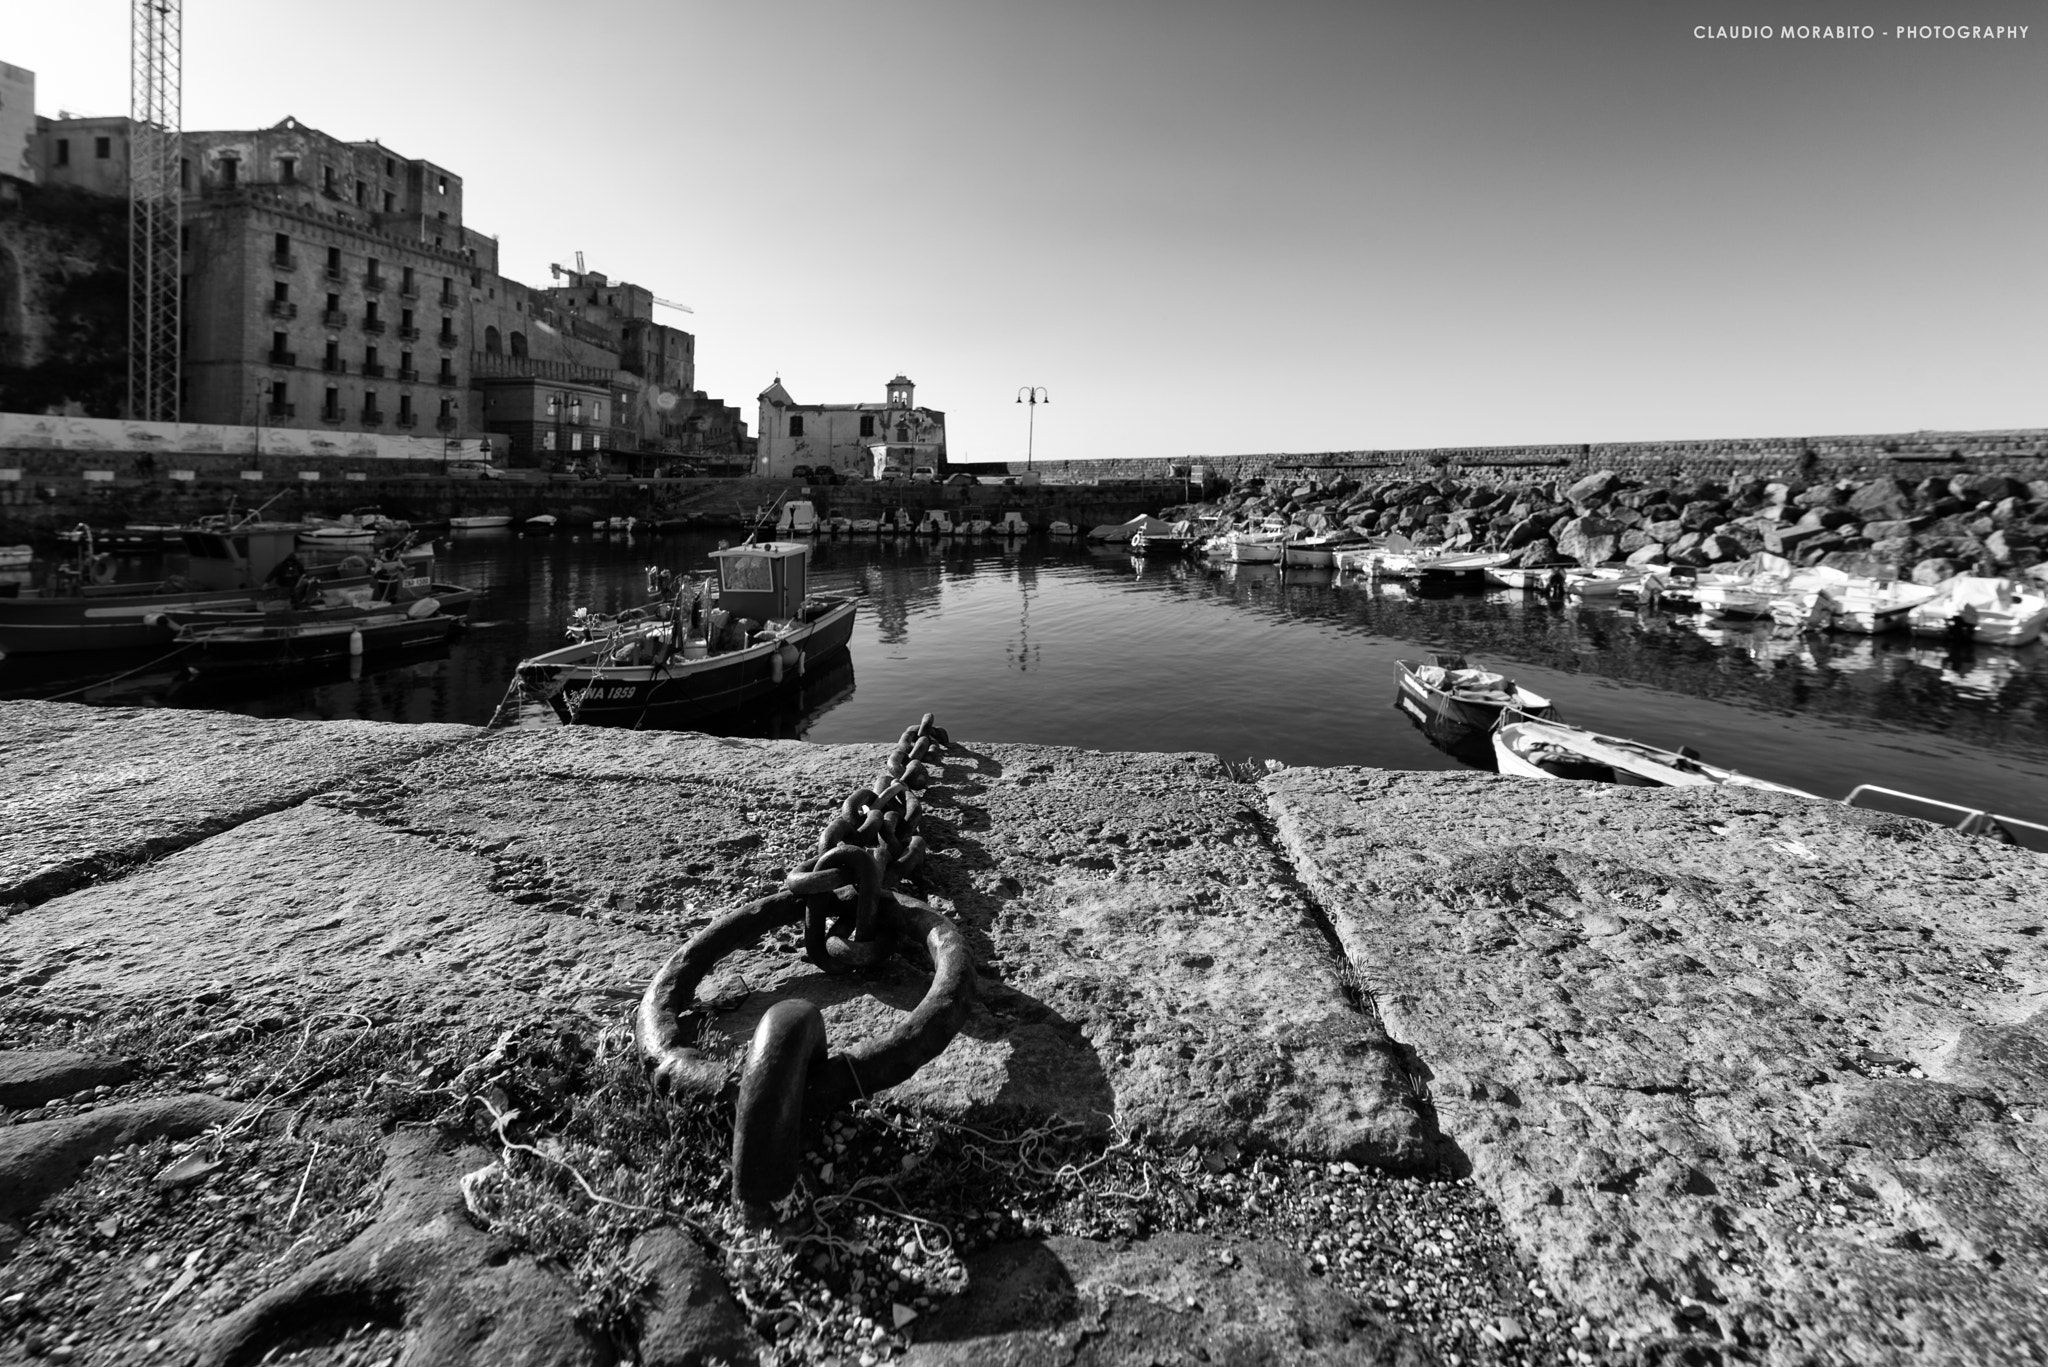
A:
(1091, 647)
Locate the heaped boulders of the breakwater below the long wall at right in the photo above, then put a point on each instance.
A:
(1924, 530)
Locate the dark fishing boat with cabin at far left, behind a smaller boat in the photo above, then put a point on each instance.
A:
(228, 569)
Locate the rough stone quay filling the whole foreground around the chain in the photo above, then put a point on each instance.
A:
(1734, 1077)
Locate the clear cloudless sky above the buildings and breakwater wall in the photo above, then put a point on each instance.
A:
(1224, 229)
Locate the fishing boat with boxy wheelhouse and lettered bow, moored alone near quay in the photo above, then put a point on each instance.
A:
(763, 636)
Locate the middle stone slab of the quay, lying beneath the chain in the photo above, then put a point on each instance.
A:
(1146, 960)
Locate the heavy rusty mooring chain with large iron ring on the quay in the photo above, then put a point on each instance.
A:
(790, 1075)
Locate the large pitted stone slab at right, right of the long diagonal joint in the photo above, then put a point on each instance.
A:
(1732, 1065)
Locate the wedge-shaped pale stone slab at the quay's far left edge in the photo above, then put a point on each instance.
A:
(87, 790)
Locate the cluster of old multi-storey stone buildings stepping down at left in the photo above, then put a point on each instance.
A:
(335, 286)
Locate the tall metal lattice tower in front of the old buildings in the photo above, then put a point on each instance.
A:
(157, 65)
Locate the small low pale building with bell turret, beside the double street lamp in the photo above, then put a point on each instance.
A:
(851, 440)
